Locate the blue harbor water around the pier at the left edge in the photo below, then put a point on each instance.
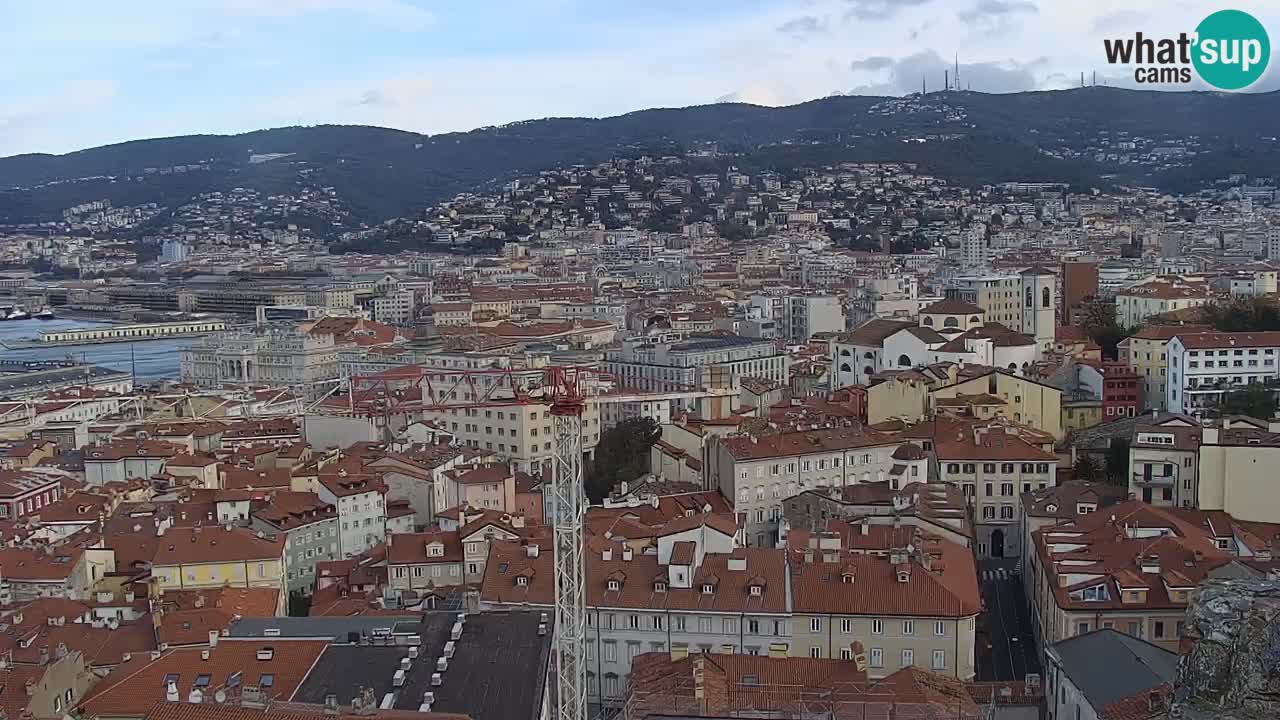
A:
(149, 361)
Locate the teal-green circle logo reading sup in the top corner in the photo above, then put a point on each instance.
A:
(1232, 49)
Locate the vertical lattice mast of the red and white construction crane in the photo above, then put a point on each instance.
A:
(568, 511)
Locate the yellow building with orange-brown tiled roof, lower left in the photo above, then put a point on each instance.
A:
(220, 557)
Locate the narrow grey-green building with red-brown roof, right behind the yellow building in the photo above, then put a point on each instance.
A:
(310, 532)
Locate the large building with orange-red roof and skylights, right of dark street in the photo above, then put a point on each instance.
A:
(1132, 568)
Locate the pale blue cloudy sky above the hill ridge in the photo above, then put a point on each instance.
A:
(80, 74)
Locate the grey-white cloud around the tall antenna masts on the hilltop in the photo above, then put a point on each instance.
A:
(907, 75)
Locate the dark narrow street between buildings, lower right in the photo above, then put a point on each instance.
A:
(1007, 640)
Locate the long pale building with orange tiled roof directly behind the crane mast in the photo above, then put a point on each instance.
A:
(697, 594)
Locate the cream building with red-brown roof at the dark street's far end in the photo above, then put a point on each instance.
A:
(994, 463)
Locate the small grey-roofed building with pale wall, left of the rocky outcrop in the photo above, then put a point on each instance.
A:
(1123, 687)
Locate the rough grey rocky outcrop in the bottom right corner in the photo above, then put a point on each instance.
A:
(1233, 666)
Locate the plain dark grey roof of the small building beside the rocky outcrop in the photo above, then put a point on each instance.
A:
(1109, 666)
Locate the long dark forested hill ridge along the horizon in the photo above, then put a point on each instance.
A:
(381, 174)
